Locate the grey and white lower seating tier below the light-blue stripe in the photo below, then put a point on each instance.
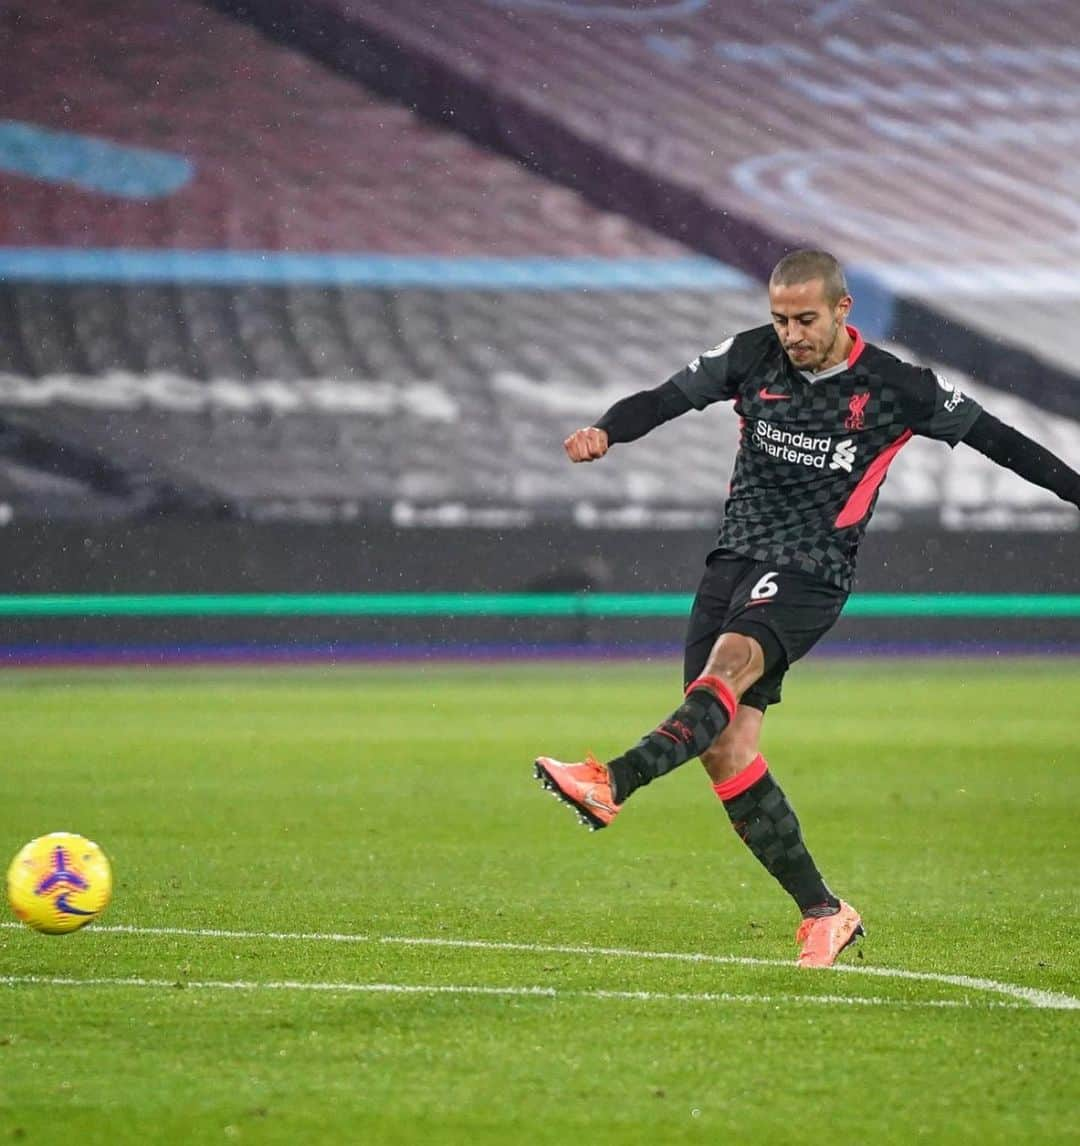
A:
(317, 407)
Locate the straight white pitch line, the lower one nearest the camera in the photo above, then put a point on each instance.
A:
(549, 993)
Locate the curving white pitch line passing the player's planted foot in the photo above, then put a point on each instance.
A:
(1032, 996)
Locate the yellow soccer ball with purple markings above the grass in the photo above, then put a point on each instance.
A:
(60, 883)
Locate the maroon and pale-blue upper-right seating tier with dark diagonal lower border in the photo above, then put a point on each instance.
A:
(927, 145)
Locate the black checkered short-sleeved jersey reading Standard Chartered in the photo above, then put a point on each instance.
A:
(815, 449)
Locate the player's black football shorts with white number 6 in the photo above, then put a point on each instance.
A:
(786, 611)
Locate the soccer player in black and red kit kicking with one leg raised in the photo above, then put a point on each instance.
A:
(823, 414)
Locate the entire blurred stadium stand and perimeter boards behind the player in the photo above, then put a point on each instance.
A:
(300, 297)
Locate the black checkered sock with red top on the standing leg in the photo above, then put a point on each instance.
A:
(768, 825)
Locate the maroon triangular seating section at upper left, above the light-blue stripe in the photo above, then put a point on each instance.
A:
(285, 155)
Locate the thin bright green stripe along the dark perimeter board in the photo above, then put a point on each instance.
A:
(496, 605)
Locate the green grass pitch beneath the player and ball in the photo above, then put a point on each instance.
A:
(395, 806)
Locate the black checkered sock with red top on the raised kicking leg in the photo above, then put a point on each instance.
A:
(707, 711)
